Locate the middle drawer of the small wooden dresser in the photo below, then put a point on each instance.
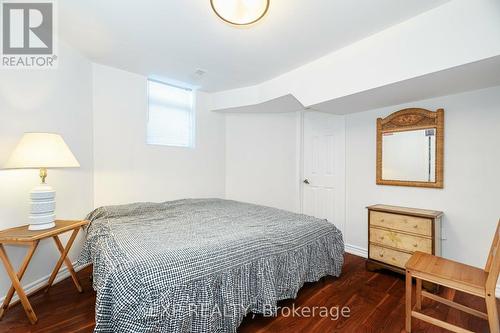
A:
(400, 241)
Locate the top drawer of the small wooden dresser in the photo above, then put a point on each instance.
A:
(412, 224)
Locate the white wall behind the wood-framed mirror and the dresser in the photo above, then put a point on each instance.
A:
(470, 198)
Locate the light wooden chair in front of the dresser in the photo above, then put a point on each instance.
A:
(472, 280)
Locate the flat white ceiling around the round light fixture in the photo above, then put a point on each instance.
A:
(171, 40)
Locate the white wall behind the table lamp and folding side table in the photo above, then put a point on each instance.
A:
(58, 100)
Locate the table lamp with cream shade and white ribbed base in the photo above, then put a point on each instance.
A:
(42, 151)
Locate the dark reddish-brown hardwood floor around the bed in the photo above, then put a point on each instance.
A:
(375, 300)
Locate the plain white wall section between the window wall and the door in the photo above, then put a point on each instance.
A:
(262, 159)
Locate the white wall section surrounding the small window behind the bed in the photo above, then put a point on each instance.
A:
(126, 169)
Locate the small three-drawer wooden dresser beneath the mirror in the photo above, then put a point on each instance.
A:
(394, 233)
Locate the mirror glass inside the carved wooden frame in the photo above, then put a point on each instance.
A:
(409, 155)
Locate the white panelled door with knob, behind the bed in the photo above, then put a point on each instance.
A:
(323, 171)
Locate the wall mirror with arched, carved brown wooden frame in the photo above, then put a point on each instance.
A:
(410, 148)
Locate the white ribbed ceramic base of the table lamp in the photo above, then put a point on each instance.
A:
(43, 206)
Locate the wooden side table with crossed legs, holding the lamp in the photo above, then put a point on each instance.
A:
(23, 236)
